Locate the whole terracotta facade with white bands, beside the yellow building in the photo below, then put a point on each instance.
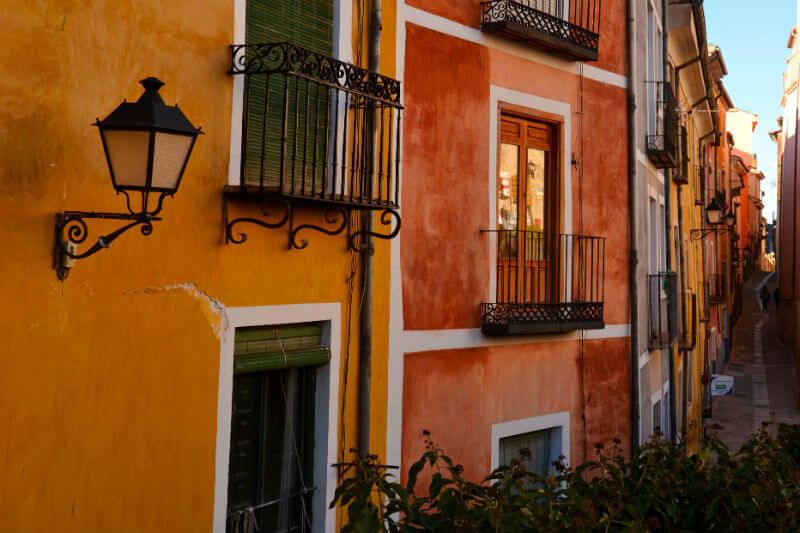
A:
(457, 382)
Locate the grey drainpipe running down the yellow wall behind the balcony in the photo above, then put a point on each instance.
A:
(365, 324)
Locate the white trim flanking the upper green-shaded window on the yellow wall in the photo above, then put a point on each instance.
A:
(342, 50)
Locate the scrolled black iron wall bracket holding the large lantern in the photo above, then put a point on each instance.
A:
(71, 230)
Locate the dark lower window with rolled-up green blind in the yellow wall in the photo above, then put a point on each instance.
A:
(272, 425)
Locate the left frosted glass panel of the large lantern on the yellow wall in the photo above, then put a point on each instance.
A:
(127, 153)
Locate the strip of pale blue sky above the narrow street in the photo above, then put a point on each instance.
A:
(753, 37)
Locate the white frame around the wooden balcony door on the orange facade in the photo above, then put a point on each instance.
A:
(498, 95)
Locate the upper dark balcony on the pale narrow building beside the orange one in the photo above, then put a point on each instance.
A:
(662, 139)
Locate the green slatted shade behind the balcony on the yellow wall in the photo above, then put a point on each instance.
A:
(307, 23)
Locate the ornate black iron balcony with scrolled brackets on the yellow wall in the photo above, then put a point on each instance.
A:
(316, 131)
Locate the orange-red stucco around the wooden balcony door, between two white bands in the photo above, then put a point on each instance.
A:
(446, 164)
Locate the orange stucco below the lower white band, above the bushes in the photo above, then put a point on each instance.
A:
(458, 394)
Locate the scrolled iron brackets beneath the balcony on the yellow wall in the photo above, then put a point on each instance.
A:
(280, 210)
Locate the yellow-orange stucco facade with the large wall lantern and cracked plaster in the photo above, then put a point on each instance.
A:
(109, 380)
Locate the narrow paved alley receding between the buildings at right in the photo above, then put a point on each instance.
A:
(761, 366)
